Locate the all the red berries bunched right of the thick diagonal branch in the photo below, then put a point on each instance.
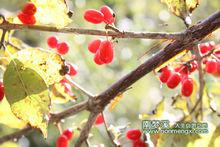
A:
(172, 77)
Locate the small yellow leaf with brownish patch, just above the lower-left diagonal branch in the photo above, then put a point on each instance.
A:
(59, 95)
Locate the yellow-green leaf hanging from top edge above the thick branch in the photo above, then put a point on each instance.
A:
(182, 8)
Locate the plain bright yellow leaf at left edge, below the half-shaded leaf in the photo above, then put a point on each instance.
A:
(7, 117)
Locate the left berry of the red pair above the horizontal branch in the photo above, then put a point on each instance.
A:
(93, 16)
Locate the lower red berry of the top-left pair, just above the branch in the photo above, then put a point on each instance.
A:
(26, 19)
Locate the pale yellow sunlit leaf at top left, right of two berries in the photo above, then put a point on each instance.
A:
(52, 12)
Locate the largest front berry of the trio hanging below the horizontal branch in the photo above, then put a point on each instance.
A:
(106, 51)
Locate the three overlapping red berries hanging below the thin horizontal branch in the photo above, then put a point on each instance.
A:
(103, 50)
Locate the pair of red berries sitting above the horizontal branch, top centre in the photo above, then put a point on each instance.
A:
(105, 15)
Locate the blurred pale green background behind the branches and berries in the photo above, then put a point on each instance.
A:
(132, 15)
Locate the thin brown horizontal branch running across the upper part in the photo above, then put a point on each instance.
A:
(83, 31)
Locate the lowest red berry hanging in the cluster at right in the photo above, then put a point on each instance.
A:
(187, 87)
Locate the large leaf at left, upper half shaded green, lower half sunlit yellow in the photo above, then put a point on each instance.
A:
(27, 94)
